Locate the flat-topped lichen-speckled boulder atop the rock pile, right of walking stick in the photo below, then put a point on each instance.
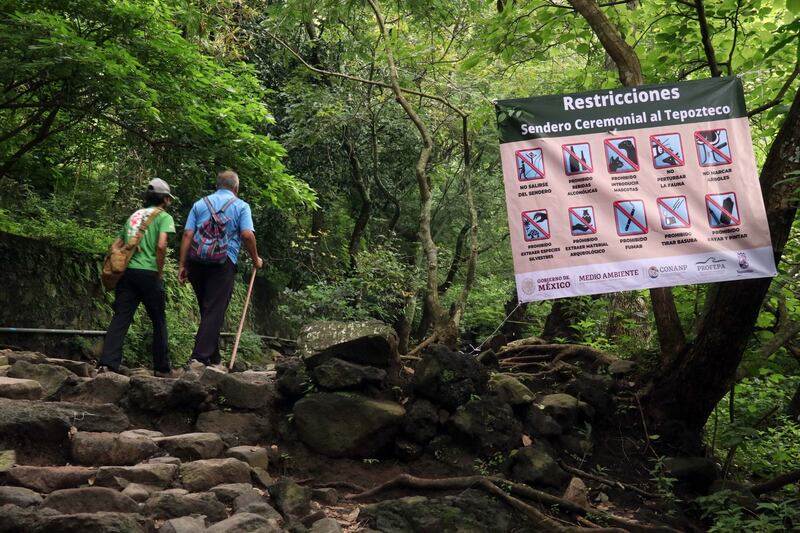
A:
(368, 343)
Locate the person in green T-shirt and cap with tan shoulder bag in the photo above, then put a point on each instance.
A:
(143, 281)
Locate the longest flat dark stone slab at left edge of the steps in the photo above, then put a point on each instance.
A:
(50, 421)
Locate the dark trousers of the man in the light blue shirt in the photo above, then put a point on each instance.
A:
(213, 286)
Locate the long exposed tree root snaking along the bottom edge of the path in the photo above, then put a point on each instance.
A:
(490, 485)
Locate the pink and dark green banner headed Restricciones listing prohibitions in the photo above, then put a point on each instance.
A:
(632, 188)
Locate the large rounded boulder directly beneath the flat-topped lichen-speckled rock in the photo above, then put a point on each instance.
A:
(346, 425)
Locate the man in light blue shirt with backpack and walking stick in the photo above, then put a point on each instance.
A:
(213, 282)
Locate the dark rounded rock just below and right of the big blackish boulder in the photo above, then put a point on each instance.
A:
(489, 424)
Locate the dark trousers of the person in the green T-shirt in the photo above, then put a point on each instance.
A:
(137, 286)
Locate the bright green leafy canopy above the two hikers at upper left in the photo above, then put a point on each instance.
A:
(101, 96)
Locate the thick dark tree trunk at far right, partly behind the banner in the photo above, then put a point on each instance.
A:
(688, 389)
